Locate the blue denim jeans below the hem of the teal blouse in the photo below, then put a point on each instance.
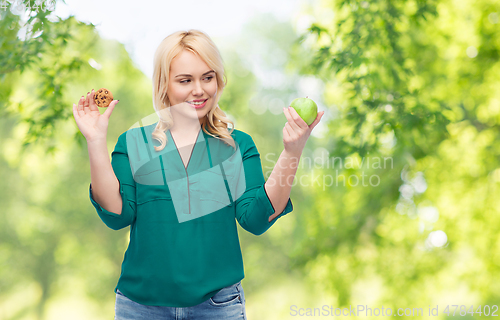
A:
(227, 304)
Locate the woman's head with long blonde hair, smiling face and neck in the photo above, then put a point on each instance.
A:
(188, 69)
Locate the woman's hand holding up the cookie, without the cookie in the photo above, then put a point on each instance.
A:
(91, 123)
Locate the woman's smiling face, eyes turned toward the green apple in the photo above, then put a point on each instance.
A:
(192, 86)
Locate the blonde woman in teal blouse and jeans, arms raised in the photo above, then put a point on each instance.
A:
(181, 197)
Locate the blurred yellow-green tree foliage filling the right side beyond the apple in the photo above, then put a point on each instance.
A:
(412, 81)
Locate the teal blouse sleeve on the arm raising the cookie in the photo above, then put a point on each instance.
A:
(123, 172)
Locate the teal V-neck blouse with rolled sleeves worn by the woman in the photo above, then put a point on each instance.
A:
(184, 244)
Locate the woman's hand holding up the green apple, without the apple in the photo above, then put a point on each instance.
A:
(296, 131)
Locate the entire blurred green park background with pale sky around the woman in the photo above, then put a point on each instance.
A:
(397, 197)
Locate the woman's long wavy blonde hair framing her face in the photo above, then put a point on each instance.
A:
(216, 122)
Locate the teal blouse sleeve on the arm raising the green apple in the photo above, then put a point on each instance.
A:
(254, 208)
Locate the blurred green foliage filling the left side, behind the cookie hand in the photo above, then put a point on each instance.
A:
(51, 241)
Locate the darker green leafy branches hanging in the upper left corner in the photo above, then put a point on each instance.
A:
(32, 37)
